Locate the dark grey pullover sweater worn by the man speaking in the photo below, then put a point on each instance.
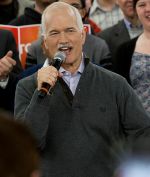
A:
(76, 133)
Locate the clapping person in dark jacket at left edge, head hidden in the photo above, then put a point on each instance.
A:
(10, 68)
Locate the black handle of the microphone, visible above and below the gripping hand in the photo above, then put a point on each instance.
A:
(45, 86)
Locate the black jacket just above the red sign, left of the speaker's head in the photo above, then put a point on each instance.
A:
(29, 17)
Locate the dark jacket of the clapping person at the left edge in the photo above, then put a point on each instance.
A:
(7, 43)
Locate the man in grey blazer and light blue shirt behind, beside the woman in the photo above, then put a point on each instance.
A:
(124, 30)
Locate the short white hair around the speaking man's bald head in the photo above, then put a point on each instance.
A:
(56, 5)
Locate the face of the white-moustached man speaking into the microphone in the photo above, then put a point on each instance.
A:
(62, 33)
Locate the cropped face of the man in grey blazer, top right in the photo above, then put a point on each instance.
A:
(127, 8)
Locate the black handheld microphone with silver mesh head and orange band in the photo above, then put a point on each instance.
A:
(56, 62)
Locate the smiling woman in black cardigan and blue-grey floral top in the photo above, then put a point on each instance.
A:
(133, 57)
